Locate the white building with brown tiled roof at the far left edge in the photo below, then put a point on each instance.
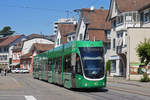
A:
(6, 46)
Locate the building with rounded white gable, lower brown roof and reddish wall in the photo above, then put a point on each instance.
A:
(33, 45)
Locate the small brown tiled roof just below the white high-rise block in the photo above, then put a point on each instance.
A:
(64, 29)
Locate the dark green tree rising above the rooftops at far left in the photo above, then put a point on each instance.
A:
(6, 31)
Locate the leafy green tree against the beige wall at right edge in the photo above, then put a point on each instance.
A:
(143, 51)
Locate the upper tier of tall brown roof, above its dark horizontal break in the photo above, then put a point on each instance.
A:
(96, 18)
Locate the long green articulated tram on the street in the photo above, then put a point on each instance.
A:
(77, 64)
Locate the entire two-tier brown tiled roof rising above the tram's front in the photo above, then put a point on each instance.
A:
(97, 23)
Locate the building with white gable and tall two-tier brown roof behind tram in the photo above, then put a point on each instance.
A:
(92, 26)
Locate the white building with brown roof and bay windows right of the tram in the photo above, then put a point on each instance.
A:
(123, 14)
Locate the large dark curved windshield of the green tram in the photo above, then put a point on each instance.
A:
(93, 62)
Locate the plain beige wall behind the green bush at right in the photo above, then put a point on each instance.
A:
(135, 36)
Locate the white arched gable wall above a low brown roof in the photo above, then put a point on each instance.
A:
(28, 44)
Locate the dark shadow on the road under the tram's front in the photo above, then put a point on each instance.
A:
(91, 90)
